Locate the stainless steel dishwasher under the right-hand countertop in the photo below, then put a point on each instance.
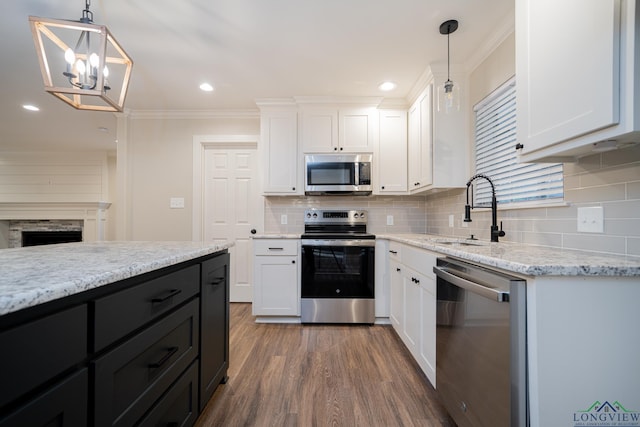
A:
(481, 345)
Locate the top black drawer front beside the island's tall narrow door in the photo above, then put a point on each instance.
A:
(121, 313)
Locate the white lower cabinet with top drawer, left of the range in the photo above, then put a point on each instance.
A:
(276, 272)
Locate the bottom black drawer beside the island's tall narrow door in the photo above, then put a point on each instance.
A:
(179, 406)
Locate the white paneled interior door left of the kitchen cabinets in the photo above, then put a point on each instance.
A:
(231, 208)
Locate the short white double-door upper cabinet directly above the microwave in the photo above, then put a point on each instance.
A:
(329, 129)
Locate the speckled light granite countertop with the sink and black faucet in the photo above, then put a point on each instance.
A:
(524, 259)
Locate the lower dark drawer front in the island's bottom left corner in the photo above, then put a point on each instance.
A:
(65, 402)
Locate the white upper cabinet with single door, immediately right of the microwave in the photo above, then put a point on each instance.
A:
(391, 154)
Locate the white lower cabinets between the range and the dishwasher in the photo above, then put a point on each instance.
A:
(413, 303)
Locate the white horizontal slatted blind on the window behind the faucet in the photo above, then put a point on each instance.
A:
(496, 156)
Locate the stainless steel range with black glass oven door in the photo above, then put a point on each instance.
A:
(337, 267)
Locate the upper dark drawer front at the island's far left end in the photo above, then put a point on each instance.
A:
(38, 351)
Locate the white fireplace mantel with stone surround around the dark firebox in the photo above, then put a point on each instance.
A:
(90, 217)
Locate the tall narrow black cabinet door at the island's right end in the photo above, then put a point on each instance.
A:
(214, 318)
